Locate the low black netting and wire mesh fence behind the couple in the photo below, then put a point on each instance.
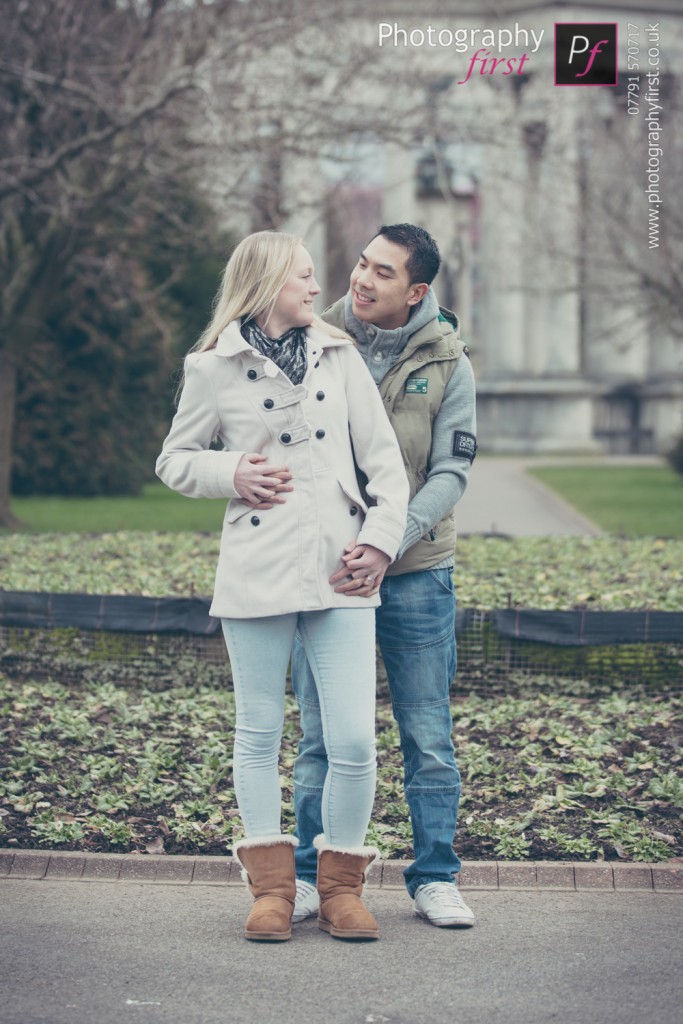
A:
(161, 643)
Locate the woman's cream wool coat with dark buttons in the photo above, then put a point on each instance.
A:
(280, 561)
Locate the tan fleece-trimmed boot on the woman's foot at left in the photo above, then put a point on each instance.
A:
(268, 864)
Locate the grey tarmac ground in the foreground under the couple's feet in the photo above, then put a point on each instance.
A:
(78, 953)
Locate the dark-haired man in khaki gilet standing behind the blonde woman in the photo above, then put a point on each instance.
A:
(413, 352)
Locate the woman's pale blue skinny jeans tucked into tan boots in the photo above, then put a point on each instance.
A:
(340, 649)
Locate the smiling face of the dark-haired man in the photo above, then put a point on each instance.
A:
(381, 290)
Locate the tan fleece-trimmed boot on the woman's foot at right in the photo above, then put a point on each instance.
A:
(341, 873)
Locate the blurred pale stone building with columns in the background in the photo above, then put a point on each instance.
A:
(536, 195)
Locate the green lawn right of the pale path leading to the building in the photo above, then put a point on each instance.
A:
(633, 501)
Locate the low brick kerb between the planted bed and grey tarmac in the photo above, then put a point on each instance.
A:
(476, 875)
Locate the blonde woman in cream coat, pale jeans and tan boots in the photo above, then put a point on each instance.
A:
(291, 401)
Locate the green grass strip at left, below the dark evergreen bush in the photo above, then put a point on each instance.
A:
(156, 509)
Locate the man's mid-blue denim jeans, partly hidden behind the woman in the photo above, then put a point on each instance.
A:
(416, 633)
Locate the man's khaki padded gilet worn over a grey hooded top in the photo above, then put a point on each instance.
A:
(413, 393)
